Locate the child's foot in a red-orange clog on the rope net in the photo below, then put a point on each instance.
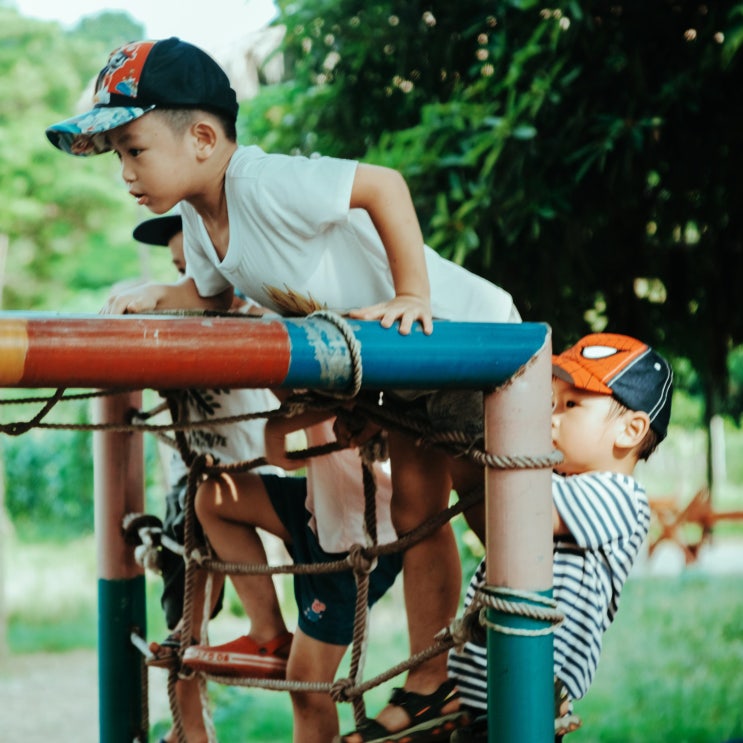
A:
(242, 657)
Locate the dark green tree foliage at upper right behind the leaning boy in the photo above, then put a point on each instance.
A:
(585, 156)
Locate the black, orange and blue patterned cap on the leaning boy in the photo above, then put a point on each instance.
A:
(138, 78)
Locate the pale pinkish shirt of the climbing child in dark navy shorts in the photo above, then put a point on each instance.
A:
(335, 495)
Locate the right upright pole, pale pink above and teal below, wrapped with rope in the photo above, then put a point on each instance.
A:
(519, 556)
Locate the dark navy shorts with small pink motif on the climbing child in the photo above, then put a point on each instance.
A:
(326, 601)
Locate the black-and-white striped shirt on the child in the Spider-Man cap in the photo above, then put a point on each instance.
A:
(607, 515)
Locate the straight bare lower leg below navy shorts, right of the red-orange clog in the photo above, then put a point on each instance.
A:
(315, 715)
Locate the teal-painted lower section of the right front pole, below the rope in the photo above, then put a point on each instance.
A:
(520, 681)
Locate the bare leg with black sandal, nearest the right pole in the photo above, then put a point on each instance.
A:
(431, 569)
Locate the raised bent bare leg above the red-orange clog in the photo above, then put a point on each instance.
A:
(230, 507)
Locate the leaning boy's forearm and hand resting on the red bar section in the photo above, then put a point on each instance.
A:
(150, 297)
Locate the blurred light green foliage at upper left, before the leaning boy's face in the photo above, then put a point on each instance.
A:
(60, 214)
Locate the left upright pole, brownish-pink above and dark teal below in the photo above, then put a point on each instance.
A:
(119, 489)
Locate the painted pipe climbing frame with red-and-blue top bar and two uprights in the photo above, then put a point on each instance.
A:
(323, 352)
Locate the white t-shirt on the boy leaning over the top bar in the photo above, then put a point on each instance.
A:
(292, 235)
